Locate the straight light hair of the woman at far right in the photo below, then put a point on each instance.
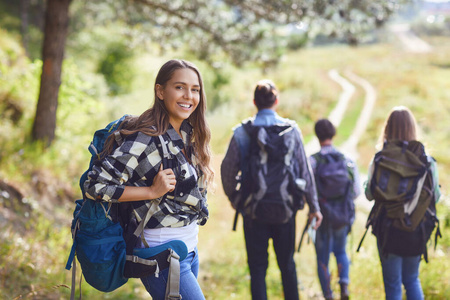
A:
(400, 125)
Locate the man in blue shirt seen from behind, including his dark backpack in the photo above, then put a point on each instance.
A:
(266, 175)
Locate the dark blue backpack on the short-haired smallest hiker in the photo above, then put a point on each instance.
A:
(334, 183)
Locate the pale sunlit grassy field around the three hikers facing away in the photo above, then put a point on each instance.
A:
(419, 81)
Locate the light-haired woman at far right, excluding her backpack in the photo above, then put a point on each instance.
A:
(397, 269)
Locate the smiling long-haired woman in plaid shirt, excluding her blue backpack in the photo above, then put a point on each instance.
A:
(131, 170)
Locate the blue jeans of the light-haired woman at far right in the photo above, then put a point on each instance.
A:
(398, 270)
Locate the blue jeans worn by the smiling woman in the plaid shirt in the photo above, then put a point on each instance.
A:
(189, 287)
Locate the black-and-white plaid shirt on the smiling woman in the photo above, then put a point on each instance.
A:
(136, 161)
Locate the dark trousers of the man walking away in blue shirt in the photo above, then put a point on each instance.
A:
(257, 235)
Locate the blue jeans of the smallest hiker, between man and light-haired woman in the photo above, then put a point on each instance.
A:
(331, 240)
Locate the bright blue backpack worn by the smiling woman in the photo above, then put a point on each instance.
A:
(104, 236)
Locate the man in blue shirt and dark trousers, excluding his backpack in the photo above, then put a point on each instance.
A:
(257, 232)
